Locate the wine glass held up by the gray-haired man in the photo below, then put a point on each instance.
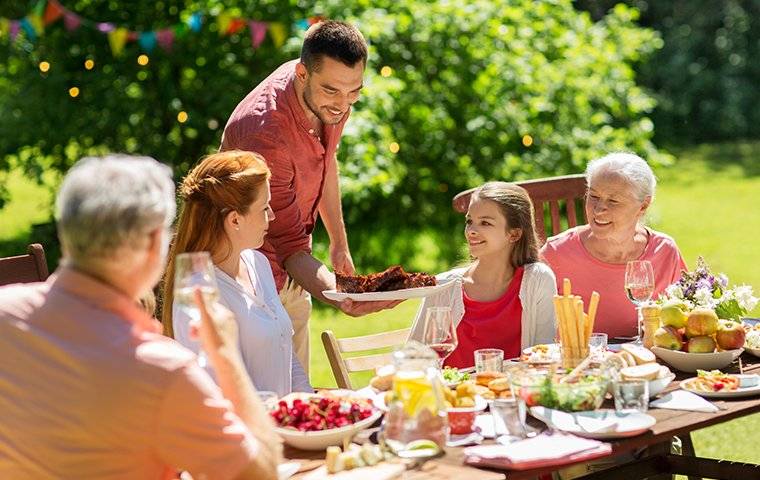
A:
(194, 270)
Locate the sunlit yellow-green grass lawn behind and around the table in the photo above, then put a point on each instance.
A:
(708, 202)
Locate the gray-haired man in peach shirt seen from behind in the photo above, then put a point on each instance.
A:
(89, 388)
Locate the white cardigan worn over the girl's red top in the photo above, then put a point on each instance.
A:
(536, 296)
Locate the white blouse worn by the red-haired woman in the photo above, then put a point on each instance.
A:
(265, 329)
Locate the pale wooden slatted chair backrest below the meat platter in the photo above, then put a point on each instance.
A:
(342, 366)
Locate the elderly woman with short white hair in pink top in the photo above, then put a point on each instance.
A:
(621, 187)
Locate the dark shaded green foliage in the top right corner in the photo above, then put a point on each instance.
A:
(706, 75)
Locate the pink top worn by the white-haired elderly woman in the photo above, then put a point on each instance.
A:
(616, 315)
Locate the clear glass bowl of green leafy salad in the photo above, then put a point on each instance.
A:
(553, 388)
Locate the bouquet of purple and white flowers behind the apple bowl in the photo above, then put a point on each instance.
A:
(701, 289)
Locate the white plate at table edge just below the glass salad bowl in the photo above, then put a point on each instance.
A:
(601, 424)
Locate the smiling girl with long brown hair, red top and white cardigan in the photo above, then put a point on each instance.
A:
(506, 293)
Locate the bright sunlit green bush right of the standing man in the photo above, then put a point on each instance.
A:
(469, 81)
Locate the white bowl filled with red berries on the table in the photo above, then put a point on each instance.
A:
(317, 421)
